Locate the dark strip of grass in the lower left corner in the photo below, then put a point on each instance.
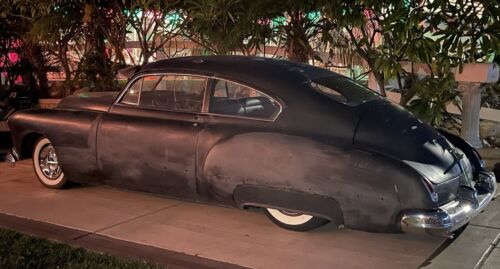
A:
(21, 251)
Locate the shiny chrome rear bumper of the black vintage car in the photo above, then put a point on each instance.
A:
(455, 214)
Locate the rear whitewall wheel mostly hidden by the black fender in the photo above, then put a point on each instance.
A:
(294, 221)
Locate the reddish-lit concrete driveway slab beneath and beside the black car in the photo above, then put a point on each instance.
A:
(245, 238)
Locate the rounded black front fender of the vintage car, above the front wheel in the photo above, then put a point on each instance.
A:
(73, 134)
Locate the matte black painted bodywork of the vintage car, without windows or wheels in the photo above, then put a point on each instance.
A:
(354, 156)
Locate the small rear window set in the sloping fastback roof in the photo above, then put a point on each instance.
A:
(344, 90)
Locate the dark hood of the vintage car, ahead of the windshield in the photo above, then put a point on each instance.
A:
(98, 101)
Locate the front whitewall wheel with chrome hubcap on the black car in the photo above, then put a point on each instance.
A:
(46, 165)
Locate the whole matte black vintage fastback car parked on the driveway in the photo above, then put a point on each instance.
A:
(306, 145)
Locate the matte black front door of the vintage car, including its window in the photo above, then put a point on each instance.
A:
(148, 139)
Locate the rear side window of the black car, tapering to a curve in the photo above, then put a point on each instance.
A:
(233, 99)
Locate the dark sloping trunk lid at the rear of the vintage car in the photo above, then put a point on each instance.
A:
(391, 130)
